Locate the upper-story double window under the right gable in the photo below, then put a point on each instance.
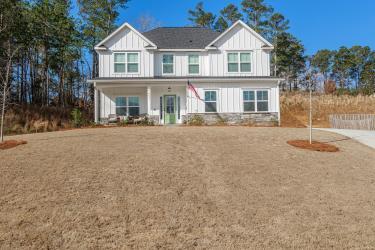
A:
(239, 62)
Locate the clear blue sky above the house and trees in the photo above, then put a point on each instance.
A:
(318, 24)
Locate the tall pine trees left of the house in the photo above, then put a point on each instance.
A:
(47, 47)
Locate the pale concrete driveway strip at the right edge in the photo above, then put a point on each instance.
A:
(366, 137)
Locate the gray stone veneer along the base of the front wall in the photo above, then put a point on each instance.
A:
(261, 119)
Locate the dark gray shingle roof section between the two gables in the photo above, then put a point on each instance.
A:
(181, 37)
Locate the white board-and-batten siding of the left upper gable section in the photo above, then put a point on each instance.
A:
(126, 41)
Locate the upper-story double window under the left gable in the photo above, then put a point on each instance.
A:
(126, 62)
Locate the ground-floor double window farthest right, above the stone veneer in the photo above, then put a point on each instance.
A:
(255, 101)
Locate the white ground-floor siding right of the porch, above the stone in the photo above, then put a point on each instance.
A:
(230, 97)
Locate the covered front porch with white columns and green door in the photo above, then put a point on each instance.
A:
(164, 103)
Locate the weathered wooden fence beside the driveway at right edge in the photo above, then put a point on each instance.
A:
(352, 121)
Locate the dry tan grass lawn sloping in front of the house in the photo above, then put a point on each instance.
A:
(185, 188)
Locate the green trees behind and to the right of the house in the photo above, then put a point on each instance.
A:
(349, 68)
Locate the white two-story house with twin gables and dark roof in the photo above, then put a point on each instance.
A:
(172, 74)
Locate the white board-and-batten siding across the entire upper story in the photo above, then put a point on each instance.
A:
(211, 63)
